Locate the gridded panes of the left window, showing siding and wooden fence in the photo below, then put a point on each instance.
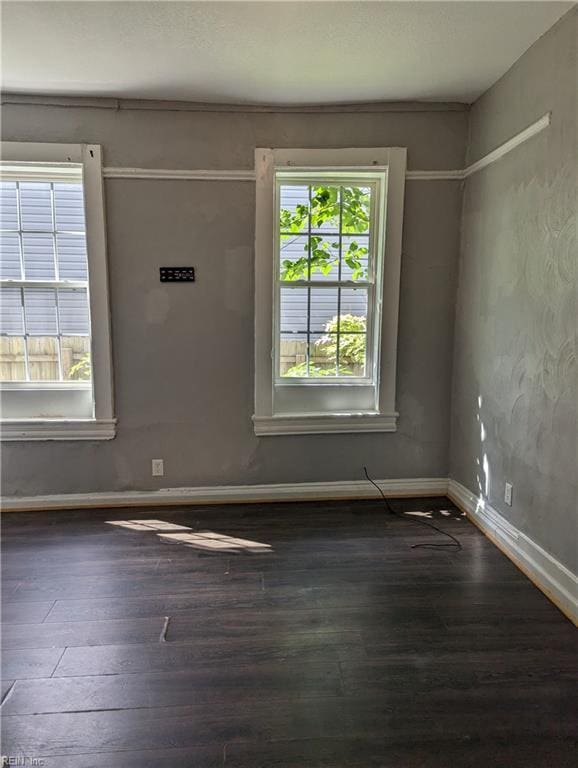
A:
(44, 302)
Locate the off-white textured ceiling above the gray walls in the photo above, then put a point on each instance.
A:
(267, 52)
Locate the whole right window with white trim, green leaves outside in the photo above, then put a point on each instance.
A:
(328, 247)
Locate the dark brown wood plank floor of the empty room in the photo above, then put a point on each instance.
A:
(339, 646)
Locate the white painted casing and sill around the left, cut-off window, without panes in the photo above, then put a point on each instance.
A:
(102, 425)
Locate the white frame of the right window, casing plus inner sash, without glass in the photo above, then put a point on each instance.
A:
(313, 406)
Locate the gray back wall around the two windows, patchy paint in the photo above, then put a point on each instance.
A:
(194, 409)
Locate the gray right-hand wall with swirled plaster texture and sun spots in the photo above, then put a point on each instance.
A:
(515, 343)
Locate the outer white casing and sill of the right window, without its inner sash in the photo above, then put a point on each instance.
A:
(384, 417)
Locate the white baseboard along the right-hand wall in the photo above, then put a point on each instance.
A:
(554, 579)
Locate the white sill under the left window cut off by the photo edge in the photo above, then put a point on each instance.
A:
(57, 429)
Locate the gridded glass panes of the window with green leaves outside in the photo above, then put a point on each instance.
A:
(327, 269)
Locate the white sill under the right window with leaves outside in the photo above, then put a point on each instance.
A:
(316, 424)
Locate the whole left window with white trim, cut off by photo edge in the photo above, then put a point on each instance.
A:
(54, 334)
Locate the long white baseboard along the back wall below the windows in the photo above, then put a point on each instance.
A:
(230, 494)
